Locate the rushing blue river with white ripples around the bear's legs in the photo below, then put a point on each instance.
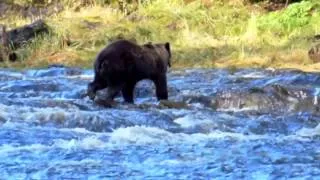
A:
(244, 124)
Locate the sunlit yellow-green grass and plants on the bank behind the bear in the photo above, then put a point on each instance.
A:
(203, 33)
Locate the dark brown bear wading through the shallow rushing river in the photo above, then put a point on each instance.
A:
(122, 64)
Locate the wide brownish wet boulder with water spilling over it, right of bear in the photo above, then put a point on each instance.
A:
(269, 99)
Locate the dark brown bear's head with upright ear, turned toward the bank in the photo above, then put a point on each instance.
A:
(163, 50)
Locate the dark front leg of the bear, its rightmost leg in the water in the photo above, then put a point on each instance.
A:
(161, 87)
